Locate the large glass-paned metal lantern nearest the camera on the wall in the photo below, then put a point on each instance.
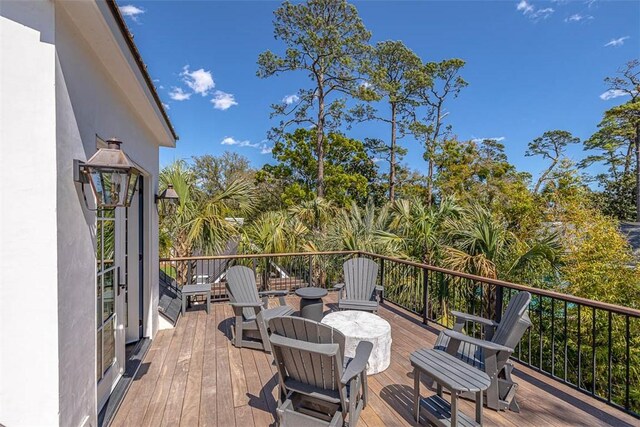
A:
(113, 176)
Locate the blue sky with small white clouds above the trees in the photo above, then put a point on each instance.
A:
(532, 66)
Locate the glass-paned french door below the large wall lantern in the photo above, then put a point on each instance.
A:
(110, 308)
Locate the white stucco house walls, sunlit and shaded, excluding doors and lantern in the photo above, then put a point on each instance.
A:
(56, 95)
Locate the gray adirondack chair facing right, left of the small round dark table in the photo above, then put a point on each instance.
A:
(251, 312)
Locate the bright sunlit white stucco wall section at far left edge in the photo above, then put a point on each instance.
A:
(29, 375)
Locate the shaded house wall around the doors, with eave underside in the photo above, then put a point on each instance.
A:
(90, 102)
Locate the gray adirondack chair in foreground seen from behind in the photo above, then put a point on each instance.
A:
(318, 387)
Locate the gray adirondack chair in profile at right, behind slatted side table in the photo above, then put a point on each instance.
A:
(491, 353)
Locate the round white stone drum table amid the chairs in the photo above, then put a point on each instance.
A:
(363, 326)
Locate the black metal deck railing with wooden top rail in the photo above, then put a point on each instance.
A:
(591, 346)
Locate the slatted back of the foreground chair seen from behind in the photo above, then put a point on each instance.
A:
(305, 365)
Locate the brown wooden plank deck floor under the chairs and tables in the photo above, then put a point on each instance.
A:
(192, 375)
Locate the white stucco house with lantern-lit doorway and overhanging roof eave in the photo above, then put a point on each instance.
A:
(76, 285)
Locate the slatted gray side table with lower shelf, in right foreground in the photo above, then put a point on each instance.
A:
(457, 377)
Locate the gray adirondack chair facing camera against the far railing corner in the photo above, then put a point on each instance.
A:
(359, 290)
